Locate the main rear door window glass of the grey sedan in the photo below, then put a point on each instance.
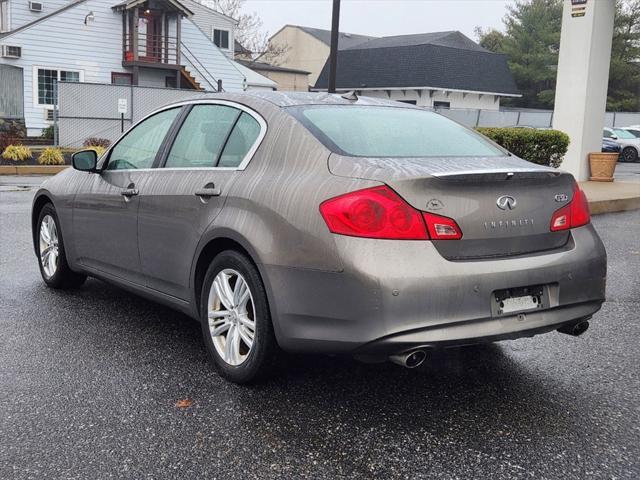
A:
(202, 136)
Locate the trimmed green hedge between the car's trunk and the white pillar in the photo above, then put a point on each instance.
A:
(544, 147)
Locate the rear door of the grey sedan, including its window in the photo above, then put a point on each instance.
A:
(181, 199)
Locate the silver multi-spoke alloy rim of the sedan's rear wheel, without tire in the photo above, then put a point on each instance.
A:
(231, 316)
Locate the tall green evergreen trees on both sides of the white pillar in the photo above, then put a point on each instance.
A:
(531, 42)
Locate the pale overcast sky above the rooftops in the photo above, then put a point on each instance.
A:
(382, 17)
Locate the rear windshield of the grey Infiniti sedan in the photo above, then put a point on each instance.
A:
(371, 131)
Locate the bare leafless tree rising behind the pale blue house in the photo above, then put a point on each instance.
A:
(249, 32)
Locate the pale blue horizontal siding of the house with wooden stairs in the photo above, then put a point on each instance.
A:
(63, 41)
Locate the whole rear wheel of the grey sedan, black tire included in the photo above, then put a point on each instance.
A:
(235, 318)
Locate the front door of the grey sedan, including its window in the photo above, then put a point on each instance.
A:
(105, 210)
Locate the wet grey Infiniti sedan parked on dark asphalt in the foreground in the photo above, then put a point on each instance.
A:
(327, 224)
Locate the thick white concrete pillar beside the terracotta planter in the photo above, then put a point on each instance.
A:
(583, 77)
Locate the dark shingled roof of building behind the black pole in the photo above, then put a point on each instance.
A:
(444, 60)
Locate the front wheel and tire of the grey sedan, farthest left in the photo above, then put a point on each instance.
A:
(52, 258)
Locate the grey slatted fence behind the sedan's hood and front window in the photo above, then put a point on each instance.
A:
(90, 110)
